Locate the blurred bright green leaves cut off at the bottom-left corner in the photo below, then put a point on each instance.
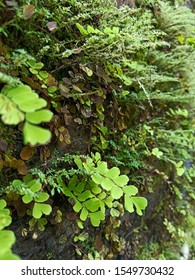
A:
(7, 237)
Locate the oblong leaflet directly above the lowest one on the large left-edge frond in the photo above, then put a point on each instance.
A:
(39, 116)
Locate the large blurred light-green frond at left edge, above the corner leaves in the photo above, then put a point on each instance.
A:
(21, 103)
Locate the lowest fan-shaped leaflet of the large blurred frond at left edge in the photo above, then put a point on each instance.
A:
(35, 135)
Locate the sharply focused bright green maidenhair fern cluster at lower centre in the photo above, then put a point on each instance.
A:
(101, 188)
